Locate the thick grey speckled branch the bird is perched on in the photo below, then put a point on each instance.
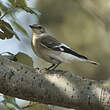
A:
(57, 87)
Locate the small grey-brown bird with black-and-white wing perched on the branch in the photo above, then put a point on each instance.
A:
(53, 51)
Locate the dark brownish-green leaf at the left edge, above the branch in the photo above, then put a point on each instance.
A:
(7, 31)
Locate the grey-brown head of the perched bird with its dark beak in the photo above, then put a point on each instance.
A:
(37, 29)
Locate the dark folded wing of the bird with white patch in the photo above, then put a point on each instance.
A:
(55, 45)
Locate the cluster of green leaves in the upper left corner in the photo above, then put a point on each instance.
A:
(13, 7)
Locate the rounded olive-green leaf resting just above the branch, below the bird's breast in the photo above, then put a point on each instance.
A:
(24, 59)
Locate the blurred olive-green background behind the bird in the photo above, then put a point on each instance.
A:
(81, 24)
